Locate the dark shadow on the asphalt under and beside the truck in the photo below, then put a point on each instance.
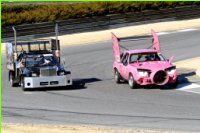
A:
(78, 84)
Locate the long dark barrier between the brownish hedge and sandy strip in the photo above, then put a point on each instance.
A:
(46, 29)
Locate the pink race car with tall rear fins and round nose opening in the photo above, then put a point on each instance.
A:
(143, 66)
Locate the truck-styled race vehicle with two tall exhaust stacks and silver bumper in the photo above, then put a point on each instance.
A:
(36, 63)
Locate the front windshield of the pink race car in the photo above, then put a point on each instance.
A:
(142, 57)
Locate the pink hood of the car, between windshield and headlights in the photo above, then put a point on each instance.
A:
(153, 65)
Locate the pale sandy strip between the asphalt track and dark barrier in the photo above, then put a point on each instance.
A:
(92, 37)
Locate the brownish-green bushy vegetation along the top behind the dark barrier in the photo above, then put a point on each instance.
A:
(15, 14)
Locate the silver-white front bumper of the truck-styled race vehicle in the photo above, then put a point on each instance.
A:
(47, 81)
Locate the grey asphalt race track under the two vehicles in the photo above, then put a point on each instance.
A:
(95, 99)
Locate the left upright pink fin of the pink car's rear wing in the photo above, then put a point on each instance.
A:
(116, 49)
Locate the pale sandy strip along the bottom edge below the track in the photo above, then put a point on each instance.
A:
(30, 128)
